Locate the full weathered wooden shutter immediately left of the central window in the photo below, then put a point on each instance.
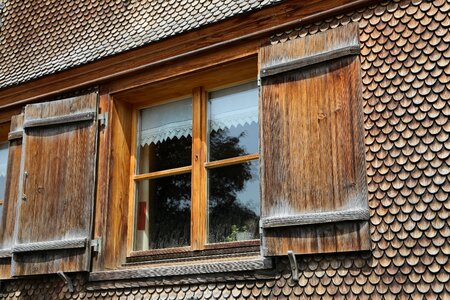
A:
(53, 227)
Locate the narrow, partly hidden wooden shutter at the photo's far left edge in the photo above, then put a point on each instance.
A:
(11, 195)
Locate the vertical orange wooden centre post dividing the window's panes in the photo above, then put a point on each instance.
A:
(198, 197)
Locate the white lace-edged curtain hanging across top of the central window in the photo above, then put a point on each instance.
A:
(226, 108)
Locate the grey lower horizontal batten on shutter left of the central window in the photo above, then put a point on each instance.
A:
(50, 245)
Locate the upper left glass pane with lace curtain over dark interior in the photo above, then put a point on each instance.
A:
(165, 136)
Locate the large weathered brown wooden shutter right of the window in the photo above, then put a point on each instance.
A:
(314, 186)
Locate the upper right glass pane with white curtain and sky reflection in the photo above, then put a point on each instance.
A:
(233, 121)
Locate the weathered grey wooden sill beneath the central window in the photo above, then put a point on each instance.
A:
(217, 266)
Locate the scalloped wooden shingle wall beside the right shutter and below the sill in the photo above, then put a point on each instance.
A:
(405, 52)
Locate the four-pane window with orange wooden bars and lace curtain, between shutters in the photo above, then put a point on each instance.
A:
(197, 171)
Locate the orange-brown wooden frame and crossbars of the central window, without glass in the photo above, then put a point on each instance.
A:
(198, 169)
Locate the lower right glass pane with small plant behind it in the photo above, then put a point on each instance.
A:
(233, 203)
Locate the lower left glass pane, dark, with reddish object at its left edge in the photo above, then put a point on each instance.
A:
(163, 215)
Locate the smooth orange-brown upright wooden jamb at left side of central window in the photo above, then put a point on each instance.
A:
(117, 185)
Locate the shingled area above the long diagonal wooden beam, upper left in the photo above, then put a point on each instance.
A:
(41, 37)
